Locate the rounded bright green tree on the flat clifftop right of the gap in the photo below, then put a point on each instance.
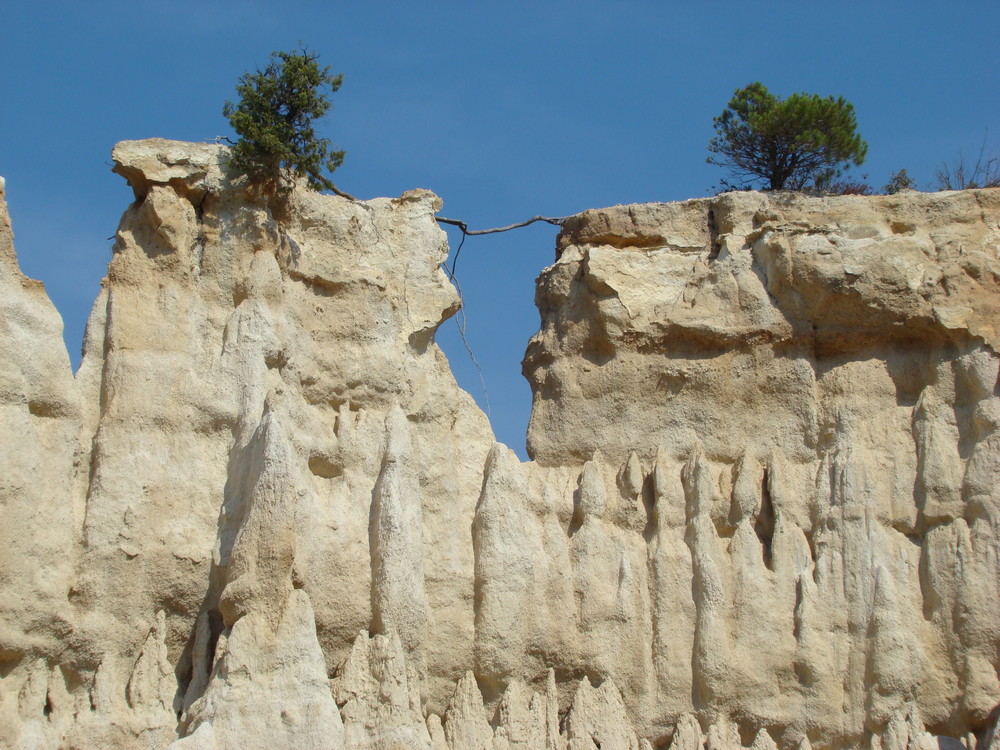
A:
(803, 141)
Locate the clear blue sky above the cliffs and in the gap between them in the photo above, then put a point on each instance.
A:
(506, 110)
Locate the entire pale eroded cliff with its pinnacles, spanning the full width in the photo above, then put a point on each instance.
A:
(762, 508)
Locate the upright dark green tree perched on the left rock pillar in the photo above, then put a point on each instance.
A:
(274, 119)
